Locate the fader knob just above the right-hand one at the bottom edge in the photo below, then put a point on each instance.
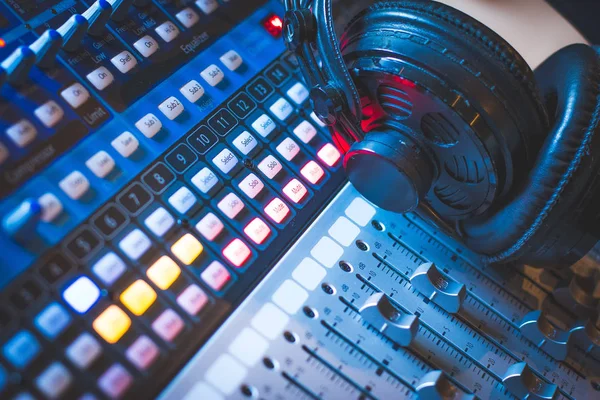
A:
(537, 328)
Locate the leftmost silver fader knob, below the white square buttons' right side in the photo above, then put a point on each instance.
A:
(397, 325)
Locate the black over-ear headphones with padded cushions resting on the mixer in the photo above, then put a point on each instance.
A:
(434, 109)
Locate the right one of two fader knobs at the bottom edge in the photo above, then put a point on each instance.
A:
(523, 383)
